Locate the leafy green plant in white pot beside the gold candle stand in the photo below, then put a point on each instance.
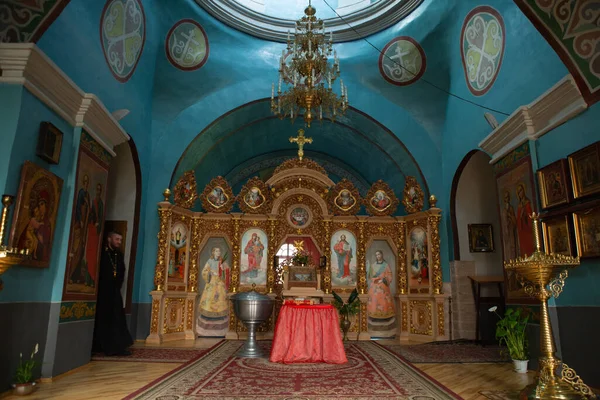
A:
(510, 330)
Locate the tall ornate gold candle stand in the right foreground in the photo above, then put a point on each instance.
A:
(543, 276)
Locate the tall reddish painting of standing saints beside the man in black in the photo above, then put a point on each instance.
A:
(87, 225)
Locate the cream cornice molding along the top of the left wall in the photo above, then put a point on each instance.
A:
(27, 65)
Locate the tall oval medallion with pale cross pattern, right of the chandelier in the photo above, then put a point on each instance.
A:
(482, 46)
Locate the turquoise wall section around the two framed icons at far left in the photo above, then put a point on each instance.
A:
(26, 284)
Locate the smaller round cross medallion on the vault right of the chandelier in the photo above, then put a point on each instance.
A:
(402, 61)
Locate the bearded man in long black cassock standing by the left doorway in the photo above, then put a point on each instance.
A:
(111, 335)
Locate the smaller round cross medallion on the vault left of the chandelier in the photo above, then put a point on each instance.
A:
(187, 45)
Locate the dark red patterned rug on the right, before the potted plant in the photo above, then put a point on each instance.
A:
(450, 352)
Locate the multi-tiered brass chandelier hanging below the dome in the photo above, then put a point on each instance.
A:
(309, 75)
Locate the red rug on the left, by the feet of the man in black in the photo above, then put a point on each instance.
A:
(149, 354)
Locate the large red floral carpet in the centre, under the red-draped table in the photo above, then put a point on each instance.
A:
(372, 373)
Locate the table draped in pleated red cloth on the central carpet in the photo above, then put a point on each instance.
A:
(308, 334)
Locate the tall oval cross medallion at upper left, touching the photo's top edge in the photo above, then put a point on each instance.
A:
(123, 33)
